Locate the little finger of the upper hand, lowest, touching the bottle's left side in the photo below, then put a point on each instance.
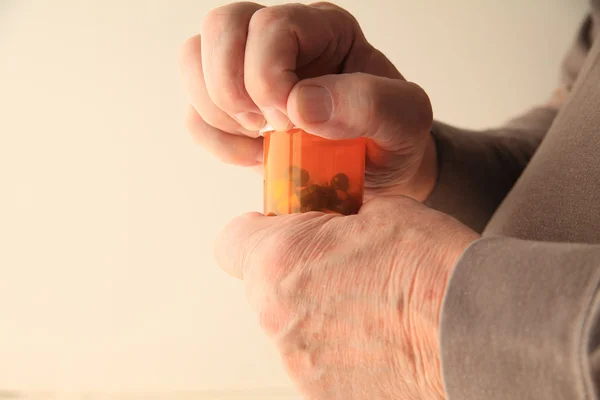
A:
(231, 149)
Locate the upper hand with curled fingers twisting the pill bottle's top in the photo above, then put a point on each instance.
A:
(310, 66)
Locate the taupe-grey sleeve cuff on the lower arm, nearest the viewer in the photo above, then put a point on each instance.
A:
(520, 321)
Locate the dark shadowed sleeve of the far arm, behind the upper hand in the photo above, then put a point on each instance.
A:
(477, 169)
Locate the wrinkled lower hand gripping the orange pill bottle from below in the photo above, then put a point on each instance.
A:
(352, 303)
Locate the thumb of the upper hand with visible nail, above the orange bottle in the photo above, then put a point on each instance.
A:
(388, 111)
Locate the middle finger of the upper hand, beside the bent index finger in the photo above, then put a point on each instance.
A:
(224, 35)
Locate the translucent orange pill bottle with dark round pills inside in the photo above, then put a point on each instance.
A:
(304, 172)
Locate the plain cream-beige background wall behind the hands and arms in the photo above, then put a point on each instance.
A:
(108, 210)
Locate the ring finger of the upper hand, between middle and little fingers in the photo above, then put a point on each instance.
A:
(193, 79)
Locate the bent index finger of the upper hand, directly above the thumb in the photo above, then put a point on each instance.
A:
(289, 42)
